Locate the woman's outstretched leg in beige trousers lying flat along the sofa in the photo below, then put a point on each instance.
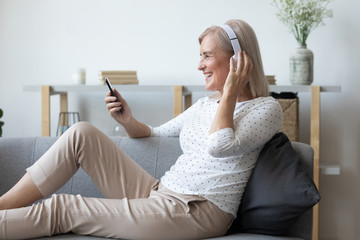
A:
(163, 215)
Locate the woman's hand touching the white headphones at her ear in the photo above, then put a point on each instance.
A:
(238, 78)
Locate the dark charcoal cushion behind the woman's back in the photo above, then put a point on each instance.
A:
(279, 190)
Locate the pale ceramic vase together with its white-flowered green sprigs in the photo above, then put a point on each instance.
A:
(302, 17)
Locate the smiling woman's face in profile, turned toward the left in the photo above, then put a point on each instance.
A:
(214, 64)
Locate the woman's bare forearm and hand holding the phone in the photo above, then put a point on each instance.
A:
(133, 128)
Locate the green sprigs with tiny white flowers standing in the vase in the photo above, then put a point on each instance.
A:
(302, 16)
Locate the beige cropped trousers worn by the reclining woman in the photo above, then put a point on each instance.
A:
(136, 205)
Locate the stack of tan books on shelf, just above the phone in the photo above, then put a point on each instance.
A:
(119, 77)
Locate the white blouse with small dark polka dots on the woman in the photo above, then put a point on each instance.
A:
(217, 166)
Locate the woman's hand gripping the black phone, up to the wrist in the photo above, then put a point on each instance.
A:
(116, 103)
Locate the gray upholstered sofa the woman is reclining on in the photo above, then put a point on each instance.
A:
(156, 156)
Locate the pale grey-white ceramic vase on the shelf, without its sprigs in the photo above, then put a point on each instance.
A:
(301, 66)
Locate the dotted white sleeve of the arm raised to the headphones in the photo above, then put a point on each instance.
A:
(254, 126)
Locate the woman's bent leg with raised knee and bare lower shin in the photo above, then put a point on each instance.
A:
(113, 172)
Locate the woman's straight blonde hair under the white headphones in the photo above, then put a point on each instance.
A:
(248, 42)
